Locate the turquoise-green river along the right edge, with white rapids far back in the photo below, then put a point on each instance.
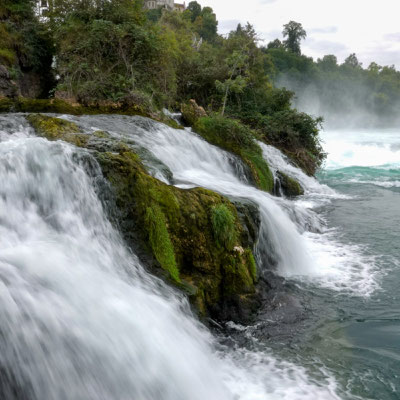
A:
(357, 335)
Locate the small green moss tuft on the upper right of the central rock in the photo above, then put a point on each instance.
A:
(223, 223)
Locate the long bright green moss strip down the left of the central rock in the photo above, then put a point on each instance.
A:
(160, 241)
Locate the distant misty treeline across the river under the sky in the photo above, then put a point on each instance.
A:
(344, 94)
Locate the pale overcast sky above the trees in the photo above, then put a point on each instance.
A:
(369, 28)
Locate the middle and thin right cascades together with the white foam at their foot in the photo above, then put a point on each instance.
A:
(290, 237)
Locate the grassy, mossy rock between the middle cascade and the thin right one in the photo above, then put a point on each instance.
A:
(236, 138)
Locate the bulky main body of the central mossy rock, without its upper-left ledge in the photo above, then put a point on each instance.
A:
(178, 227)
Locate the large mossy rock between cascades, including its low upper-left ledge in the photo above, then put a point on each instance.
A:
(193, 238)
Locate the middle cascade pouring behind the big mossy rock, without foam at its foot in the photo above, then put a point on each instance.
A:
(194, 162)
